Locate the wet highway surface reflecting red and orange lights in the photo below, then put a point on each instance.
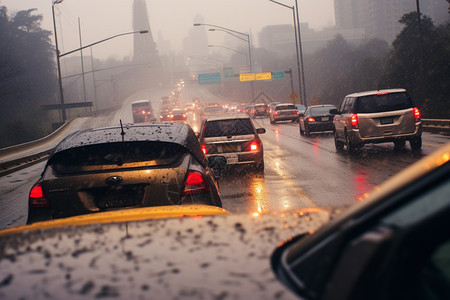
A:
(299, 171)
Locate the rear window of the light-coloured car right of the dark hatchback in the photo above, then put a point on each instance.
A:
(228, 128)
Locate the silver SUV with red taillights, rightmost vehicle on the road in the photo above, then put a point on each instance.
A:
(377, 117)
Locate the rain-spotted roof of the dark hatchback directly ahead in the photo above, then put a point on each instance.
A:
(177, 133)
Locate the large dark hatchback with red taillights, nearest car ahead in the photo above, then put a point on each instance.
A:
(114, 168)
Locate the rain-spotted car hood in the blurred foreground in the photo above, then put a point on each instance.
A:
(202, 257)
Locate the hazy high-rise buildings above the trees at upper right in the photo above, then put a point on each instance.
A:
(380, 18)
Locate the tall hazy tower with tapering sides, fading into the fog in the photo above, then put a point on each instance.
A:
(144, 46)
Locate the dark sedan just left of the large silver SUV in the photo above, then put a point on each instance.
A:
(317, 118)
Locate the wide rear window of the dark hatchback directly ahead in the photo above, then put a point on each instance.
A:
(113, 156)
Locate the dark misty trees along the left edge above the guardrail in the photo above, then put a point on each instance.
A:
(27, 77)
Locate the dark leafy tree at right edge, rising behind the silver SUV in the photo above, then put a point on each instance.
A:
(420, 62)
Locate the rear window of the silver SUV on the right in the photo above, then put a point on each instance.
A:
(381, 103)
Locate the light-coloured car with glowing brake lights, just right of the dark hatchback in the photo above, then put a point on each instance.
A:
(235, 137)
